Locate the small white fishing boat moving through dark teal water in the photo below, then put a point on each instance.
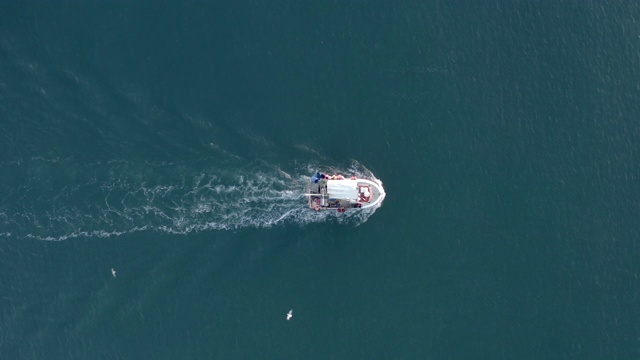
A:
(336, 192)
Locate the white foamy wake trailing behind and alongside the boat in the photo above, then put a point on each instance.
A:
(60, 199)
